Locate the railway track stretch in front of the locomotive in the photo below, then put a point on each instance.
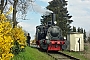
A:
(61, 56)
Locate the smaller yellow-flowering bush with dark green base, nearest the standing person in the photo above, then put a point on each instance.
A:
(19, 40)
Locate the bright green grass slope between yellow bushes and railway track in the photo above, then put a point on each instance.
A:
(31, 54)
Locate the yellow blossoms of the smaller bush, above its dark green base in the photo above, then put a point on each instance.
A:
(18, 35)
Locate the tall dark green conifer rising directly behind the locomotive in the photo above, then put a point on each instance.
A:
(62, 17)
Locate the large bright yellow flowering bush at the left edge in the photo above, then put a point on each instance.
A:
(5, 38)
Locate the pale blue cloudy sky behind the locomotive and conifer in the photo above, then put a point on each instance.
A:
(78, 9)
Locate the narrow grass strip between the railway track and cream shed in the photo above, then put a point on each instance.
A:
(76, 54)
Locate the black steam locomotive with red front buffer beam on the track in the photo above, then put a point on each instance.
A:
(49, 36)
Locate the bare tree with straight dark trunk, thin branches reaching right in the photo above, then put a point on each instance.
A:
(20, 6)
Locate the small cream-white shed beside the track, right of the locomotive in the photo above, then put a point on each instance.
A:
(75, 41)
